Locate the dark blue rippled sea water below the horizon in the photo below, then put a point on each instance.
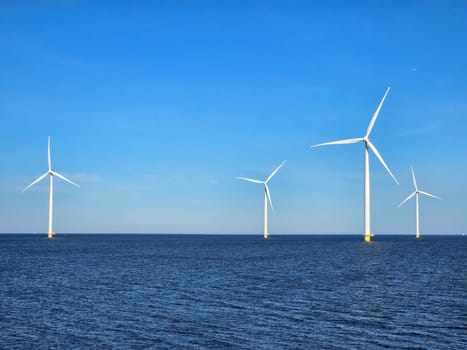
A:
(240, 292)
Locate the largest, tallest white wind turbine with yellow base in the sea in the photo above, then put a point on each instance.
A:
(368, 145)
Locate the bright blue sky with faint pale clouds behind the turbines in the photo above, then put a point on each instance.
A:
(154, 108)
